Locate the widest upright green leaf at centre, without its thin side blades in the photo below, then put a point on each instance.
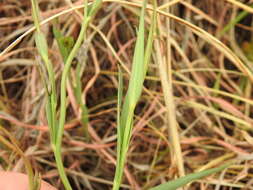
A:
(133, 93)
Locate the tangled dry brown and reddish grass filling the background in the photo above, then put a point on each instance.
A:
(211, 81)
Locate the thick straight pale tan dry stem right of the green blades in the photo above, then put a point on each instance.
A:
(168, 98)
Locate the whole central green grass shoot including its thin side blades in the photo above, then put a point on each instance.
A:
(138, 73)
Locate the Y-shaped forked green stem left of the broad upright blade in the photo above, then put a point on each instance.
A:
(57, 128)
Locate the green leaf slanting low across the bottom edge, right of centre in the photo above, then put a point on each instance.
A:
(173, 185)
